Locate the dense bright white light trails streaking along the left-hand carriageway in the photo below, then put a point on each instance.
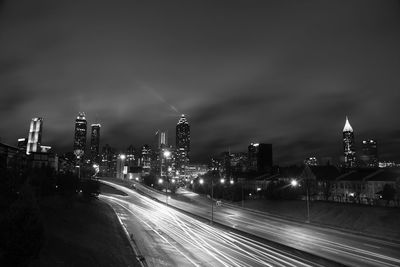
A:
(198, 242)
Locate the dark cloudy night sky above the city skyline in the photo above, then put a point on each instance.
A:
(280, 72)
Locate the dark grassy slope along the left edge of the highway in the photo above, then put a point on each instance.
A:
(83, 234)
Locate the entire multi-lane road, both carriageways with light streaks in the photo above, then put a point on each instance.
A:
(188, 241)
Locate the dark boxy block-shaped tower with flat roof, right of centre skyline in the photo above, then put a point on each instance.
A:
(260, 158)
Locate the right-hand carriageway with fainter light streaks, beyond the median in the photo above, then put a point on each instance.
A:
(343, 247)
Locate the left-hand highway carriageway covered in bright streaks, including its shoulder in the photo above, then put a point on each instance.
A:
(167, 237)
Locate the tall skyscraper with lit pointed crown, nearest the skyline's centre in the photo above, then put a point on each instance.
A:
(182, 144)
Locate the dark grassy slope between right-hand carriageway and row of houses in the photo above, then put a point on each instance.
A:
(379, 221)
